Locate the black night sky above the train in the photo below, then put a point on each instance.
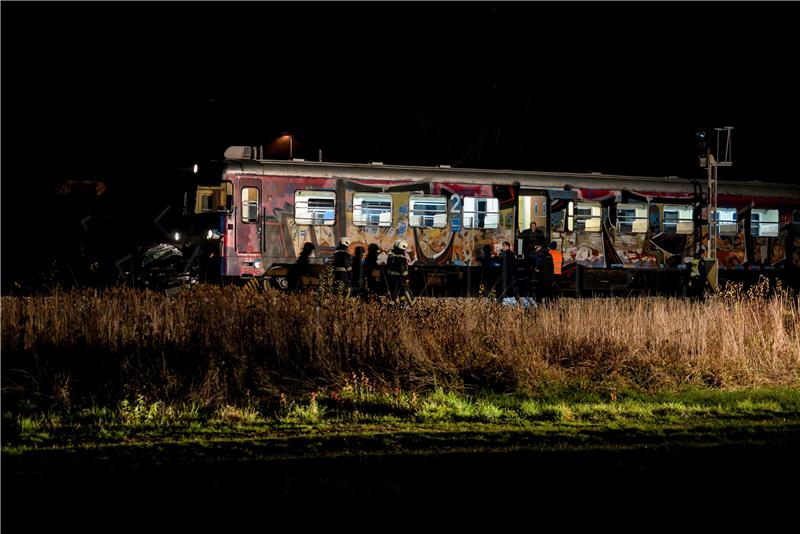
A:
(134, 92)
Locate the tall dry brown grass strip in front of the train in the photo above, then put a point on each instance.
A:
(222, 346)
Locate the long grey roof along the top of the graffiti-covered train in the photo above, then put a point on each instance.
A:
(531, 179)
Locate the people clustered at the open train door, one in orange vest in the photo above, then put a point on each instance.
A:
(541, 264)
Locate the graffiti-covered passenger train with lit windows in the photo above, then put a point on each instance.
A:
(616, 233)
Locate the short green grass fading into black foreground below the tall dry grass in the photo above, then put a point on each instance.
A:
(717, 451)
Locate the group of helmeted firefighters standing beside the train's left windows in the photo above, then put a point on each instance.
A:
(358, 275)
